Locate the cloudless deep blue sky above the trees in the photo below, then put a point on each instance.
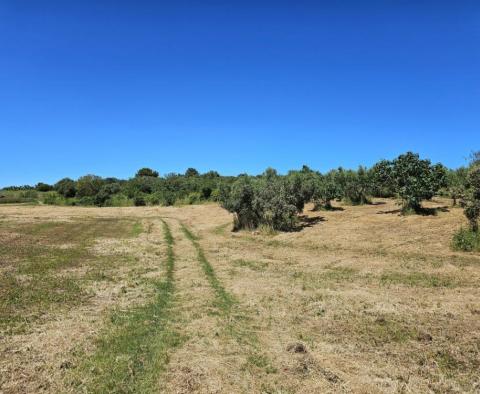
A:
(106, 87)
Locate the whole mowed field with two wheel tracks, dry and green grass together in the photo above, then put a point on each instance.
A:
(169, 300)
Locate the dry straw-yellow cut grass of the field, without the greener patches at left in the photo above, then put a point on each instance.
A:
(360, 300)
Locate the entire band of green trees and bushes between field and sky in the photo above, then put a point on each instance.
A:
(274, 201)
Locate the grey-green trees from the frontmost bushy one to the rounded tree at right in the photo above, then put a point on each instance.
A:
(274, 201)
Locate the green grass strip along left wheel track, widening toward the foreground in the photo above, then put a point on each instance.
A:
(130, 355)
